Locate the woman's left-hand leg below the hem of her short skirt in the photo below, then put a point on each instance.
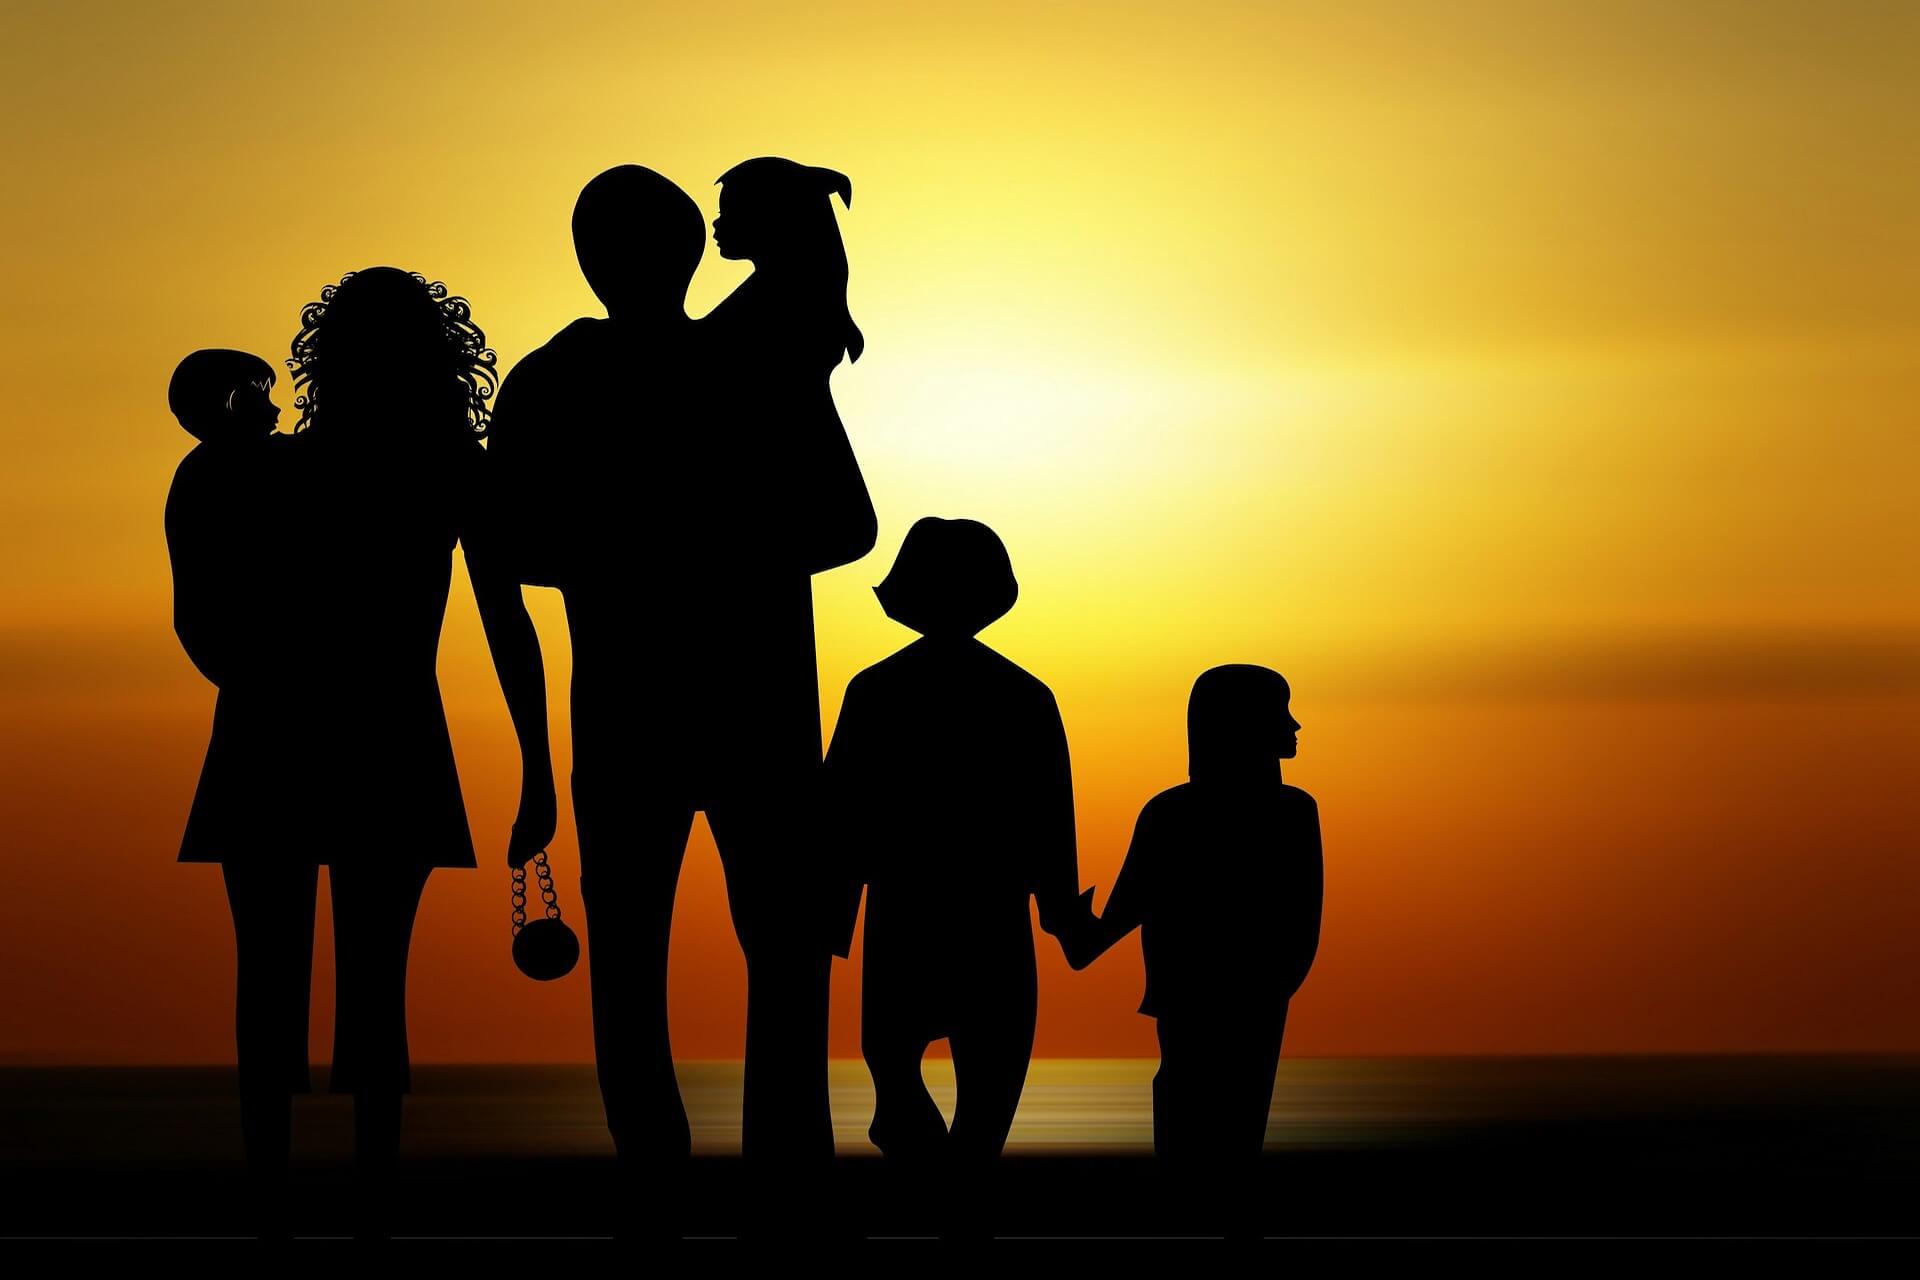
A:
(274, 964)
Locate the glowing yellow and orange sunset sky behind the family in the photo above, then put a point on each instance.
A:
(1535, 385)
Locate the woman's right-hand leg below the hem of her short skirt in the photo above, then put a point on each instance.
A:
(373, 932)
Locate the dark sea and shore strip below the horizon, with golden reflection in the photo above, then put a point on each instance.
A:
(1710, 1147)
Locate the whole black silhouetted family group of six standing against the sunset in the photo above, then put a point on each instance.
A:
(681, 483)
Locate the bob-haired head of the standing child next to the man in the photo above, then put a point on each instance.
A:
(949, 581)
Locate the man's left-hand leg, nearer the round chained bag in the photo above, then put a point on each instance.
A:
(629, 874)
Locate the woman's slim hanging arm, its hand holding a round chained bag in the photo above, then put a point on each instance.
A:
(523, 678)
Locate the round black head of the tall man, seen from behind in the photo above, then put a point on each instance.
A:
(638, 239)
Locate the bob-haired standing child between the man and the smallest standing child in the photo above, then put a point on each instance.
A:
(955, 799)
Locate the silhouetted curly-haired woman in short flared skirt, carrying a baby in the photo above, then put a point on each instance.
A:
(389, 477)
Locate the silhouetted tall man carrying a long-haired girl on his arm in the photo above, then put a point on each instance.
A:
(694, 673)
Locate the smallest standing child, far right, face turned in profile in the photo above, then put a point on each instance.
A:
(1224, 882)
